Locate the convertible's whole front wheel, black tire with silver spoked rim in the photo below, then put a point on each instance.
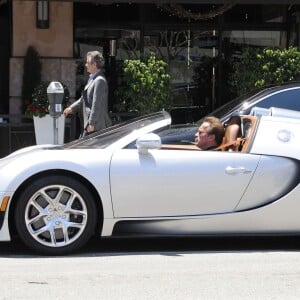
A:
(55, 215)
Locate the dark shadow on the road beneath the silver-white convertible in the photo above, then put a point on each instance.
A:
(125, 246)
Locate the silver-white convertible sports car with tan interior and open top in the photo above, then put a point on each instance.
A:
(141, 178)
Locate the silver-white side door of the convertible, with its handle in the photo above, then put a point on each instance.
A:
(167, 183)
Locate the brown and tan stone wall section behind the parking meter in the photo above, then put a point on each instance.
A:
(54, 46)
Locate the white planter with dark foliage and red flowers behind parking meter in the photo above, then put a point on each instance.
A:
(38, 109)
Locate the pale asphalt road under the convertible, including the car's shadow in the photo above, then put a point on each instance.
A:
(173, 268)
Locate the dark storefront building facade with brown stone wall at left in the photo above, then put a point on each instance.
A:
(199, 39)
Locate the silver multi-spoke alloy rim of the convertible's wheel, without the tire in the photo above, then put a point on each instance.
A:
(56, 216)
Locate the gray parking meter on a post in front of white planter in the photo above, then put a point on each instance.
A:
(55, 93)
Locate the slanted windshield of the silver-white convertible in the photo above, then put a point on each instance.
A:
(108, 136)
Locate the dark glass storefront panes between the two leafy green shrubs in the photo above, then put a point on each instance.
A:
(191, 55)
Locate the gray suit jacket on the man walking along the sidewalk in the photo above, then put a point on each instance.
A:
(93, 103)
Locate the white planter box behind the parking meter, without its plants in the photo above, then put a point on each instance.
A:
(44, 129)
